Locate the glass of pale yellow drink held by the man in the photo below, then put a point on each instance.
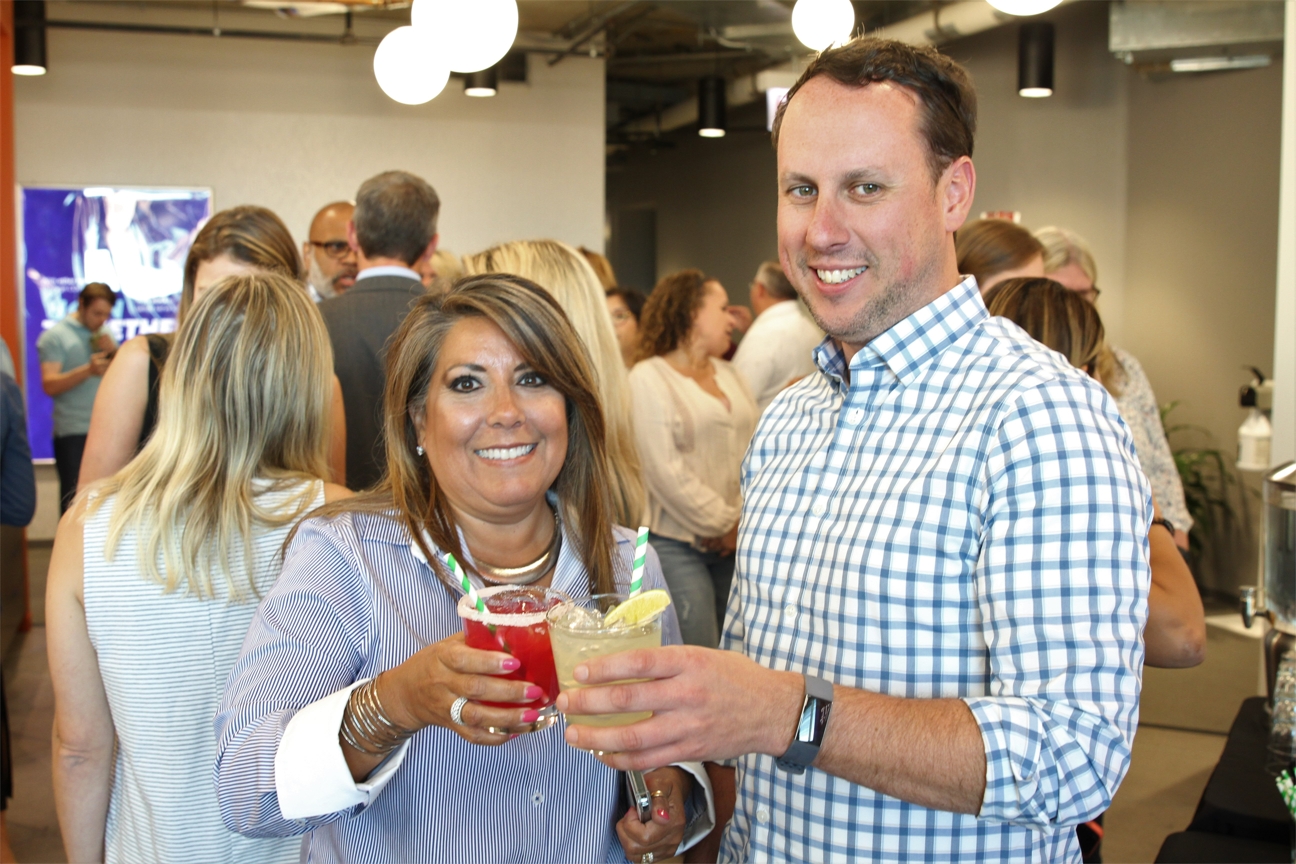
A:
(579, 633)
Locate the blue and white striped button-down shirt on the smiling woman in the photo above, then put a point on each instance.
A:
(356, 600)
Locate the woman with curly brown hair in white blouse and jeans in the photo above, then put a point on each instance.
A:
(694, 418)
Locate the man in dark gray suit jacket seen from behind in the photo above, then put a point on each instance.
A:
(393, 229)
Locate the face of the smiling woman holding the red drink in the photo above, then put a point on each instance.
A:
(494, 431)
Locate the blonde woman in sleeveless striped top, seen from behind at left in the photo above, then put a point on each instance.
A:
(157, 571)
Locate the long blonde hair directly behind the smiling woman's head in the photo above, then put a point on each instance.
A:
(566, 274)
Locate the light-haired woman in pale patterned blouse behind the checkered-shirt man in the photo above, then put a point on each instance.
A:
(1070, 262)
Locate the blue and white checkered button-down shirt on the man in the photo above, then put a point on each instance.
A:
(965, 519)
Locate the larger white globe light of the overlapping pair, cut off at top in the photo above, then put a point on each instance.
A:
(471, 34)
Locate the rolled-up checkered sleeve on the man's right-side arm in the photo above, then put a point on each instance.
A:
(1063, 581)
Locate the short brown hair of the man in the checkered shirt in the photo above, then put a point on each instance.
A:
(944, 89)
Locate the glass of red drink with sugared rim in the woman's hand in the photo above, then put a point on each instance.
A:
(515, 624)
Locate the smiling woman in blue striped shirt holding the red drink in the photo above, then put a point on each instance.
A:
(357, 713)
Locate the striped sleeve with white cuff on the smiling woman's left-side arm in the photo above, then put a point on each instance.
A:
(300, 660)
